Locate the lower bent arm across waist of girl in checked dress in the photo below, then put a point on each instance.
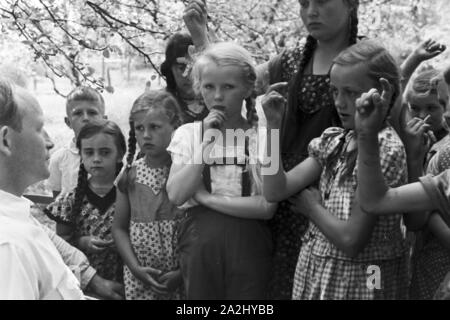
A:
(350, 236)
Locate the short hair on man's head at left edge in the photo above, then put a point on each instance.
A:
(10, 114)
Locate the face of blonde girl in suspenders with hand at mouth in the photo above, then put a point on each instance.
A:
(224, 86)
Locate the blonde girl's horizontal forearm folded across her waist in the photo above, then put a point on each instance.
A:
(254, 207)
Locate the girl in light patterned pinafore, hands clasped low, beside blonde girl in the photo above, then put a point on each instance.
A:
(145, 222)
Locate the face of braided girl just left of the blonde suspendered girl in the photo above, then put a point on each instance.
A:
(153, 132)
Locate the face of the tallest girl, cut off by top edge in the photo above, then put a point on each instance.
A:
(324, 19)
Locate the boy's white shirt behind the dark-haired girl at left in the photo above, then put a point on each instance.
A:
(64, 167)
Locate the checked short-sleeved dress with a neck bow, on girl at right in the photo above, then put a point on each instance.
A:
(324, 271)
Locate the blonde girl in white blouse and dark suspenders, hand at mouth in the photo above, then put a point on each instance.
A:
(225, 243)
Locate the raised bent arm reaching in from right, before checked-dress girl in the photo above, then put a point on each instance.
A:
(375, 196)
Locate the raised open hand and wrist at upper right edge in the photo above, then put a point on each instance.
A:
(424, 51)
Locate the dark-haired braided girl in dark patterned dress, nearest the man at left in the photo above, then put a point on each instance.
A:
(84, 216)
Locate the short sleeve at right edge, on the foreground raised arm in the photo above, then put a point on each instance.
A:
(438, 189)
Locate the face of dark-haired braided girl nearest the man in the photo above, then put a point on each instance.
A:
(100, 156)
